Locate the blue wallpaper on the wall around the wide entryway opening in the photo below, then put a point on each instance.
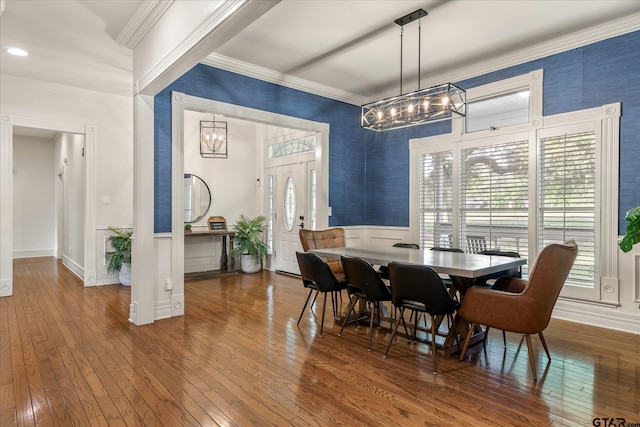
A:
(346, 143)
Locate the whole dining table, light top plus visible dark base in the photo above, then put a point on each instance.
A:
(463, 269)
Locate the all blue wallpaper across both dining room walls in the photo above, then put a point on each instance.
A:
(369, 171)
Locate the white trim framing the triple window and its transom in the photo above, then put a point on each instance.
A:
(606, 290)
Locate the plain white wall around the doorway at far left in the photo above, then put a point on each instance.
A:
(112, 118)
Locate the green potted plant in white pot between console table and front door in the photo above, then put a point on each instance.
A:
(248, 244)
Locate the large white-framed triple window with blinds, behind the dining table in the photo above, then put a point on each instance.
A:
(525, 186)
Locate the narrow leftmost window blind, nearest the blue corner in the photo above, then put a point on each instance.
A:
(435, 204)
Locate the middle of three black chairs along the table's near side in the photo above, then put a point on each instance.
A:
(364, 284)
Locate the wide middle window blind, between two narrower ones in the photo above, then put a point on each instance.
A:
(494, 197)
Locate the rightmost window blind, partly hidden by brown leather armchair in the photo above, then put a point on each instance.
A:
(567, 198)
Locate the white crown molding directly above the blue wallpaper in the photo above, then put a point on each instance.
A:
(594, 34)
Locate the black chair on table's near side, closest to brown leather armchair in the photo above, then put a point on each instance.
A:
(420, 289)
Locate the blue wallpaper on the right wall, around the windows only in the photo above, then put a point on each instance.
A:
(586, 77)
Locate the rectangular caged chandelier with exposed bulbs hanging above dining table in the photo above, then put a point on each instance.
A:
(434, 104)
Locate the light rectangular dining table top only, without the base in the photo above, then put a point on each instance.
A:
(470, 266)
